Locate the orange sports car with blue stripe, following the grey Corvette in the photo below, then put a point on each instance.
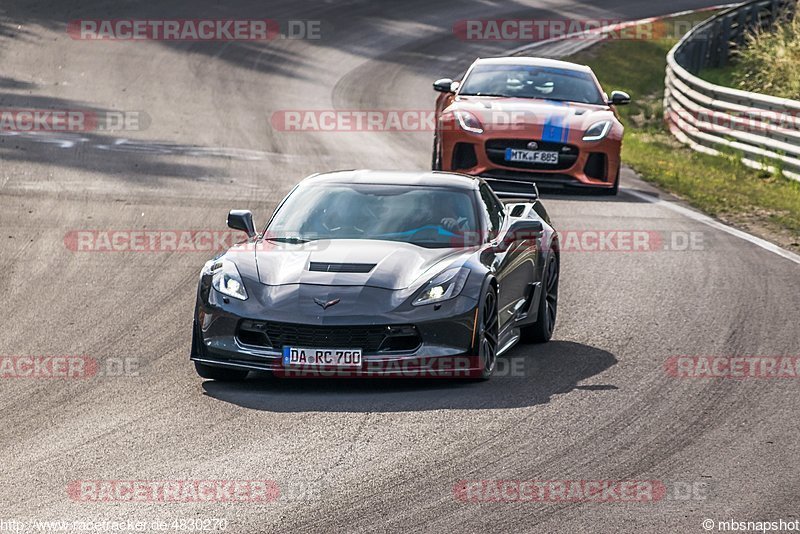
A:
(530, 120)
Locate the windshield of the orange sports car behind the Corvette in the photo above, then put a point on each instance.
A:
(521, 81)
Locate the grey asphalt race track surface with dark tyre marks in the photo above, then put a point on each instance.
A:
(594, 404)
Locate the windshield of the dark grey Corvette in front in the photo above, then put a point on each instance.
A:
(425, 216)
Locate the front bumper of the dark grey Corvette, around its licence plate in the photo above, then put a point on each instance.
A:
(226, 334)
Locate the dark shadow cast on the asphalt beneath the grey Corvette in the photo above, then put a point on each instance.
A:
(547, 370)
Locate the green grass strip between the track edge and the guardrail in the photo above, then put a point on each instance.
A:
(720, 186)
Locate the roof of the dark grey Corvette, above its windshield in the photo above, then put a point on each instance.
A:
(410, 178)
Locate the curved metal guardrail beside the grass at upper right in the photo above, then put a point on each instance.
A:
(764, 129)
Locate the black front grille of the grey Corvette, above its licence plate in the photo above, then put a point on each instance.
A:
(368, 338)
